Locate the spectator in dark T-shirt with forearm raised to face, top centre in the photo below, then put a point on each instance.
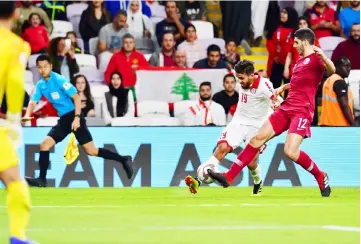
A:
(172, 23)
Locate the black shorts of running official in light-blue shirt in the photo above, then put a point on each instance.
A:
(63, 128)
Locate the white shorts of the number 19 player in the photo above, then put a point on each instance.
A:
(235, 134)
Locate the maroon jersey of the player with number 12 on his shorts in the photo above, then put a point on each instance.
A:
(306, 77)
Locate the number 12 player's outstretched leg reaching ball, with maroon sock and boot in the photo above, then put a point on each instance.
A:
(247, 155)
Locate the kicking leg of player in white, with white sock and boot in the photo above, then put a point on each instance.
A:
(221, 151)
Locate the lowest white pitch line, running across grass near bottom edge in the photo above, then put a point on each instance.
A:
(200, 228)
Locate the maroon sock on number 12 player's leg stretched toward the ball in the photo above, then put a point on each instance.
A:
(243, 159)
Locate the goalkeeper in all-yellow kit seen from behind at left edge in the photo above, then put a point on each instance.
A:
(14, 53)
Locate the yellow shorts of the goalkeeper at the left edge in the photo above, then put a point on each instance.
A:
(8, 154)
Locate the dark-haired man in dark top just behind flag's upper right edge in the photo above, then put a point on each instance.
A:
(213, 60)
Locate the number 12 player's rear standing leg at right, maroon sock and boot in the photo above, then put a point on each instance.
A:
(293, 152)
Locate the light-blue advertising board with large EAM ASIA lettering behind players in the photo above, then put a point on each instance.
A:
(165, 155)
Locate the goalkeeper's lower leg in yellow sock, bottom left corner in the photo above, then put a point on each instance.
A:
(18, 201)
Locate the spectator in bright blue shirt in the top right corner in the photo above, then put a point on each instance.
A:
(349, 16)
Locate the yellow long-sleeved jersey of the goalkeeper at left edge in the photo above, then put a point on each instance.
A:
(14, 54)
